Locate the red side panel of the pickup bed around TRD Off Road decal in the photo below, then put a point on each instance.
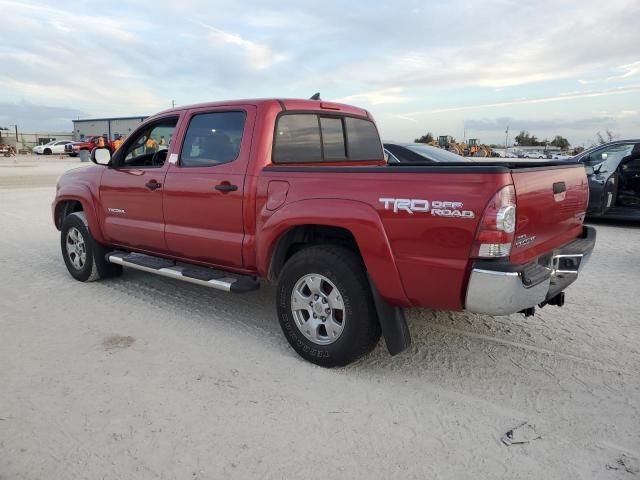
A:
(431, 253)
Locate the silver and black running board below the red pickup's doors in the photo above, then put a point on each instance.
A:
(186, 272)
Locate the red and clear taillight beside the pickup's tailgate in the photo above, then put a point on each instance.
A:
(497, 226)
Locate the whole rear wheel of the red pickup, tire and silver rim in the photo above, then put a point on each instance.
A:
(325, 306)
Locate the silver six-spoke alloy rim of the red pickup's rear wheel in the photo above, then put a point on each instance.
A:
(318, 309)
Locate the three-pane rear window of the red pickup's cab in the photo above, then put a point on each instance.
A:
(316, 138)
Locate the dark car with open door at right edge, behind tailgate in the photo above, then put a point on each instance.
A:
(613, 170)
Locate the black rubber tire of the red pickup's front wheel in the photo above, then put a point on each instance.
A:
(94, 267)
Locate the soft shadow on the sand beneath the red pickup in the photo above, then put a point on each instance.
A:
(443, 343)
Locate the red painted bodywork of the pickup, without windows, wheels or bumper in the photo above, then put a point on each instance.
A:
(414, 259)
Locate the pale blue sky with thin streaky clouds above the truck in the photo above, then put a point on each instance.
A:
(451, 67)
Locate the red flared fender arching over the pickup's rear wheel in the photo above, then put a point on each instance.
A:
(357, 217)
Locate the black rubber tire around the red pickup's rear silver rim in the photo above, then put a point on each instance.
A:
(345, 270)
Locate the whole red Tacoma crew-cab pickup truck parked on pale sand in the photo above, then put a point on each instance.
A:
(298, 192)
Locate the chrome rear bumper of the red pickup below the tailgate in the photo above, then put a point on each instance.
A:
(502, 288)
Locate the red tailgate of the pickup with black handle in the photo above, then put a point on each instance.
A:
(551, 205)
